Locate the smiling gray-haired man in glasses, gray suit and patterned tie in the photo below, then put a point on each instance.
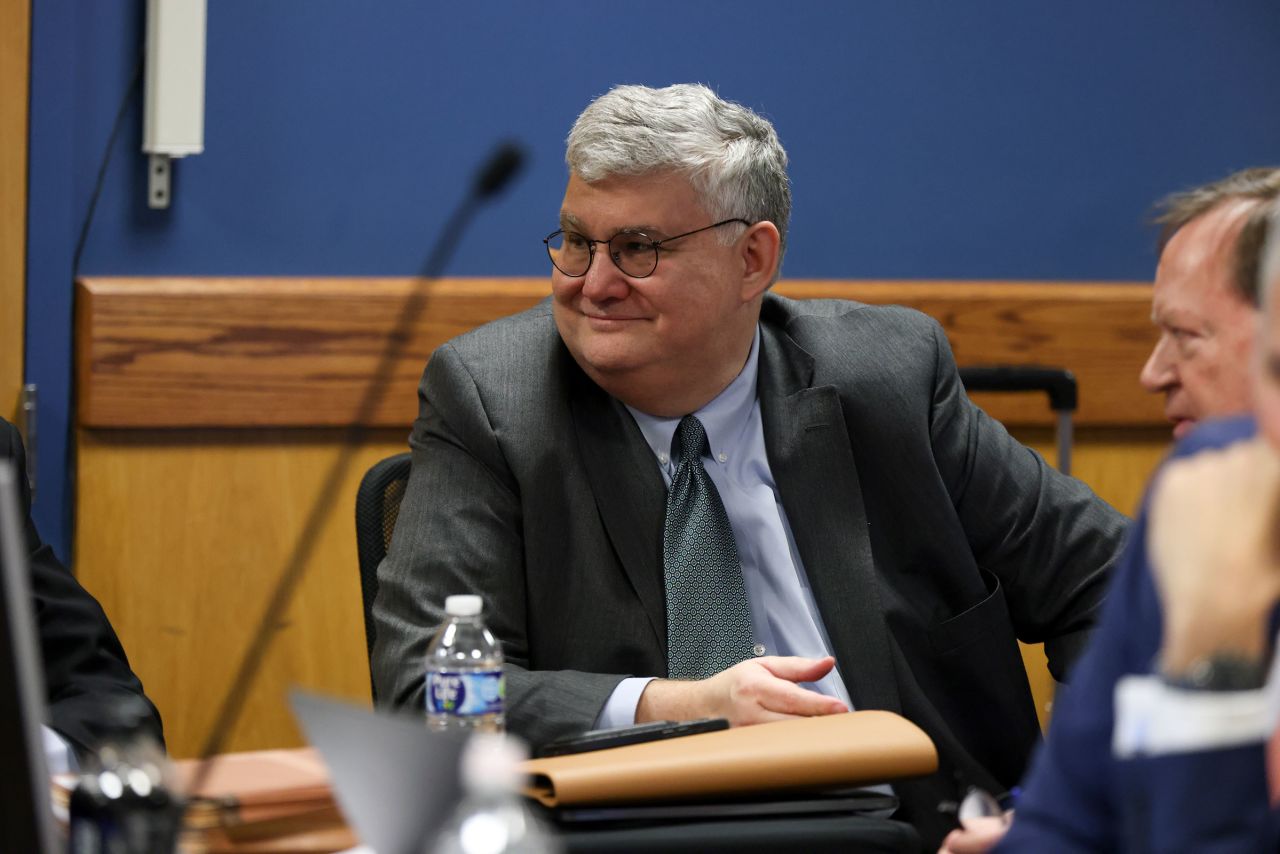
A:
(893, 541)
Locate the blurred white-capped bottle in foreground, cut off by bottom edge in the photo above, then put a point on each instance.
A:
(493, 818)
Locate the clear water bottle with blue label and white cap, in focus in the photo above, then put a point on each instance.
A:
(464, 673)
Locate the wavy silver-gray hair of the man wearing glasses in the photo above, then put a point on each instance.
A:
(730, 154)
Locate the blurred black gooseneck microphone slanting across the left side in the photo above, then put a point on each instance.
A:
(491, 180)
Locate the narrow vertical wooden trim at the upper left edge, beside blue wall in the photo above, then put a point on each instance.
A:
(15, 72)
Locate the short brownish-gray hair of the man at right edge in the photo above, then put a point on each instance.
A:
(1259, 185)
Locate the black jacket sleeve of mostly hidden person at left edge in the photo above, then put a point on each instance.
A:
(86, 670)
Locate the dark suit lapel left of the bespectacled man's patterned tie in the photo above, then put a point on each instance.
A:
(629, 491)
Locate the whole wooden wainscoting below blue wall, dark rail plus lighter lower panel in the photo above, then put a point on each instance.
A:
(181, 532)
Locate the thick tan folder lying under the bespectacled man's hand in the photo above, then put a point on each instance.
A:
(836, 751)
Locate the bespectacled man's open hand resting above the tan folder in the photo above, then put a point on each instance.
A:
(753, 692)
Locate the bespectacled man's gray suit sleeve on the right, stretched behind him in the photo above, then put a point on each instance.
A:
(1048, 537)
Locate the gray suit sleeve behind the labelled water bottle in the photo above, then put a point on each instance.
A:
(460, 531)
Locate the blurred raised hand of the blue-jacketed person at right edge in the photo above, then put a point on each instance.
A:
(1214, 540)
